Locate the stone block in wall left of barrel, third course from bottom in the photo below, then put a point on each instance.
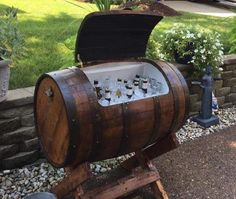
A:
(17, 136)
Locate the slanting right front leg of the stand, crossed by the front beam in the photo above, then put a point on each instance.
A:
(156, 186)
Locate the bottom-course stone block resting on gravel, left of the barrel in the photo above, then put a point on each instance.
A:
(19, 160)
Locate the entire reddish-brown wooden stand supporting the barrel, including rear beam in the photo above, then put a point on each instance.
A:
(148, 175)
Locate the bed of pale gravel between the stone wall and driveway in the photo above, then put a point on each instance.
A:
(41, 176)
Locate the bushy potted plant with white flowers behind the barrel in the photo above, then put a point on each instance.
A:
(193, 45)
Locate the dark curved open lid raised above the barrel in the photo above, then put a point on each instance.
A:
(114, 35)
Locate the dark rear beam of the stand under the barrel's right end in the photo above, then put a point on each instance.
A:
(166, 144)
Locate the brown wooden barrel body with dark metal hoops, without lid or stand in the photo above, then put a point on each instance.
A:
(73, 127)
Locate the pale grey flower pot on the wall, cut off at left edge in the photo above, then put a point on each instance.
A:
(4, 78)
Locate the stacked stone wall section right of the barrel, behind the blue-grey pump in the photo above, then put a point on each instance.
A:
(224, 87)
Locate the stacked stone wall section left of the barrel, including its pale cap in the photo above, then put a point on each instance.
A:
(19, 144)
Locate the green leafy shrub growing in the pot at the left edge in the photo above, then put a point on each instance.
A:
(11, 41)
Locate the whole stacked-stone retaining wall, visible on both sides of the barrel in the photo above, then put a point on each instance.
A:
(19, 144)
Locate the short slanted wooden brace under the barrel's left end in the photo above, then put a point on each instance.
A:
(72, 180)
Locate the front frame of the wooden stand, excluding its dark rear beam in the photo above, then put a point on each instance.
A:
(138, 178)
